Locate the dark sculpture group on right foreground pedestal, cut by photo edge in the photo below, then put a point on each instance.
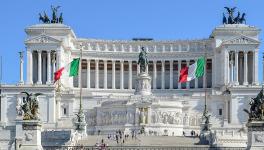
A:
(256, 111)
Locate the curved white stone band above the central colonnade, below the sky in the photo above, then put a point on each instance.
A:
(150, 46)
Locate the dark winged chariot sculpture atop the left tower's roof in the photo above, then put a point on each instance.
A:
(54, 19)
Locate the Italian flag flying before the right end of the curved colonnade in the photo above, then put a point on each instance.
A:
(195, 70)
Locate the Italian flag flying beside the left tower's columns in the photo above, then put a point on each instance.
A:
(71, 69)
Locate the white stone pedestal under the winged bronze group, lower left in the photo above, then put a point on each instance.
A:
(28, 135)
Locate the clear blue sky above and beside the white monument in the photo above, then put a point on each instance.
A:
(119, 19)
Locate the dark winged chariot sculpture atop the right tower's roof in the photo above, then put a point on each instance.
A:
(231, 19)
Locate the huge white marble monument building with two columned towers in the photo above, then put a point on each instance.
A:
(109, 70)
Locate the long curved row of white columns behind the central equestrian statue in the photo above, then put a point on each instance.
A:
(110, 67)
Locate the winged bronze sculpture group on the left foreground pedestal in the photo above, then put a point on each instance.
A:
(29, 106)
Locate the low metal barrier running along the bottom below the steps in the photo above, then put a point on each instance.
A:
(198, 147)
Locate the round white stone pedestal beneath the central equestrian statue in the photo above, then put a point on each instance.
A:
(143, 84)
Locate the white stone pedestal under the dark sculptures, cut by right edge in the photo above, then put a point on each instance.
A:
(255, 135)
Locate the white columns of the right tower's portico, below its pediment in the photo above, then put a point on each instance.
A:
(243, 67)
